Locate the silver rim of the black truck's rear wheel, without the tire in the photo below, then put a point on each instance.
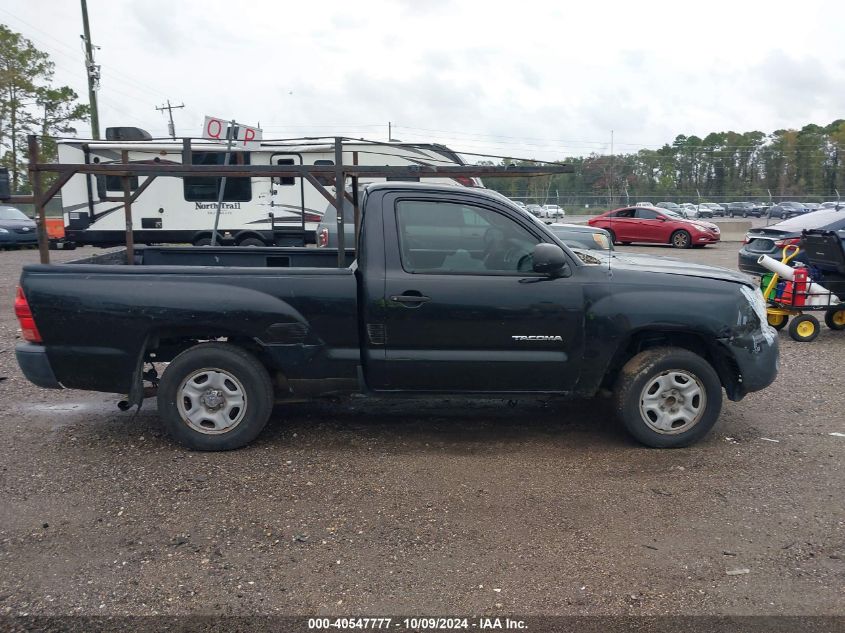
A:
(211, 401)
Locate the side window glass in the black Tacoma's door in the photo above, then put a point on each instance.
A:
(446, 237)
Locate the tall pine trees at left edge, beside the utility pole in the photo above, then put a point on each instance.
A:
(31, 104)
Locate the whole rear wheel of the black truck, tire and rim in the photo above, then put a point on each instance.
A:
(215, 397)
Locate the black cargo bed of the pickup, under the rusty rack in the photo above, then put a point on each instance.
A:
(294, 304)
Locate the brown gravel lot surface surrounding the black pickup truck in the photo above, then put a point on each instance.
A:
(434, 507)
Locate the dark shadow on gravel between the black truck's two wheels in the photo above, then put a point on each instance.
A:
(460, 423)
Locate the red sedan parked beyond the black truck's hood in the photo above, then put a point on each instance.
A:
(654, 225)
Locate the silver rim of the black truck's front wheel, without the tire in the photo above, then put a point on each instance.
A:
(673, 402)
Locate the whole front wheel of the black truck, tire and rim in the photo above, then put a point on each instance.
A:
(668, 397)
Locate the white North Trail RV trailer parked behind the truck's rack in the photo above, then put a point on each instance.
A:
(255, 211)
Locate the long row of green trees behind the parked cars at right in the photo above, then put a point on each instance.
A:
(807, 164)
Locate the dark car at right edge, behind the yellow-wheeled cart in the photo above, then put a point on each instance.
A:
(770, 240)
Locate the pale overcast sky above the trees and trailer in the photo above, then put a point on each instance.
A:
(541, 79)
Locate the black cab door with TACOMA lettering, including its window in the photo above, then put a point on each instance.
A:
(461, 308)
